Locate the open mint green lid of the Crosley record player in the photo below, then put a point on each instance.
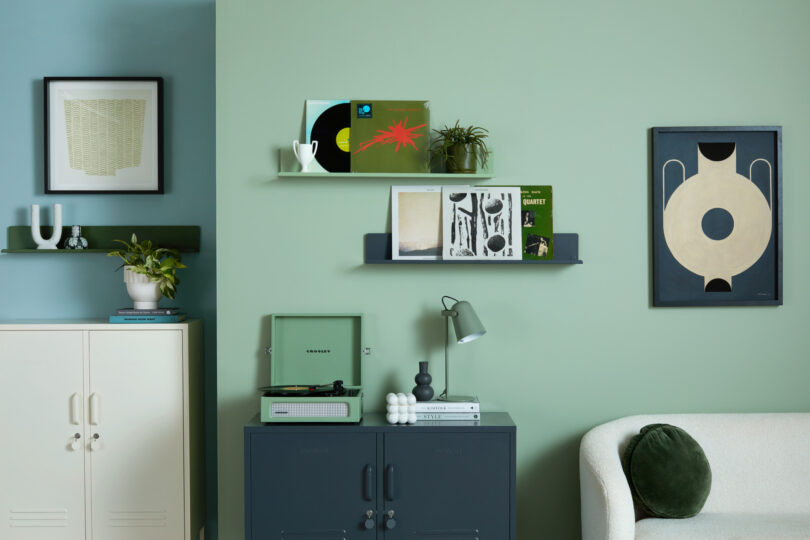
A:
(312, 348)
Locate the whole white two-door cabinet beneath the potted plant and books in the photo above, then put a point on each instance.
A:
(103, 431)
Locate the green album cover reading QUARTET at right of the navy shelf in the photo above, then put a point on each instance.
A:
(536, 222)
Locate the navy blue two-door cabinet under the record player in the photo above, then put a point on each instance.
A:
(444, 481)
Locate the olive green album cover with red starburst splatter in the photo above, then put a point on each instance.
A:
(390, 136)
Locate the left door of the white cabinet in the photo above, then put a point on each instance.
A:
(41, 476)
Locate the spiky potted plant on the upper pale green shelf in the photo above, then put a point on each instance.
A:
(461, 148)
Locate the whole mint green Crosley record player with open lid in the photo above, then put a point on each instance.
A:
(315, 369)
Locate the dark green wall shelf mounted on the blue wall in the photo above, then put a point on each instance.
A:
(185, 238)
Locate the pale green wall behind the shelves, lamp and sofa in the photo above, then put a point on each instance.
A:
(569, 91)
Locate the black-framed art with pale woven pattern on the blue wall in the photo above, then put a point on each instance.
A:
(103, 135)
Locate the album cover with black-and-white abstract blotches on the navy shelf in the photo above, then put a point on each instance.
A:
(481, 223)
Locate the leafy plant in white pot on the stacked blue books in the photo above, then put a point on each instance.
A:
(149, 271)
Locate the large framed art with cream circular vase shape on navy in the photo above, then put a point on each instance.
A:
(717, 216)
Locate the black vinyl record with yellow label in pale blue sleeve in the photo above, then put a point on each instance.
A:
(328, 123)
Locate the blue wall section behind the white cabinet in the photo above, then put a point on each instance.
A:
(173, 39)
